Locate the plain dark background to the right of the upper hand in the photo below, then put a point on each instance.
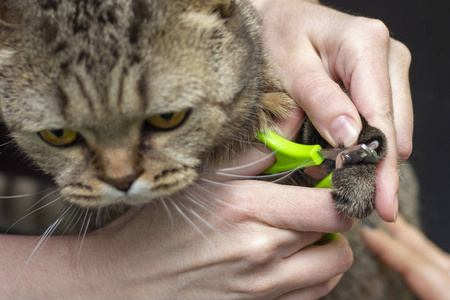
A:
(425, 28)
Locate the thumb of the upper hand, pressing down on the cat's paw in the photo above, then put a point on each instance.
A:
(301, 70)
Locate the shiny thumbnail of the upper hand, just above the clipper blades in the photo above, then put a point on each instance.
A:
(344, 131)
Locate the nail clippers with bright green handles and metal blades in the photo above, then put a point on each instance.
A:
(291, 156)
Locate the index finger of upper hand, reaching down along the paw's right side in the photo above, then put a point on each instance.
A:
(366, 75)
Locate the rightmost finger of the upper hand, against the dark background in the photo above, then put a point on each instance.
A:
(399, 63)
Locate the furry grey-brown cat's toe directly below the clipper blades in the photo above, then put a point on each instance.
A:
(354, 190)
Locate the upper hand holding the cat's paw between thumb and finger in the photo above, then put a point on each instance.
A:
(314, 47)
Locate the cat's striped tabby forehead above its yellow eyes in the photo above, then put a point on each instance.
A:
(82, 58)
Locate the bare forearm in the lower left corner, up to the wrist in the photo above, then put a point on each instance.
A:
(53, 271)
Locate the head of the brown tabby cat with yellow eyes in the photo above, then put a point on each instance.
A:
(120, 101)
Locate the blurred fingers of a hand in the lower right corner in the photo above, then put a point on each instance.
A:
(424, 267)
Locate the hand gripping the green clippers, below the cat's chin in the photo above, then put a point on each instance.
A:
(226, 238)
